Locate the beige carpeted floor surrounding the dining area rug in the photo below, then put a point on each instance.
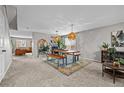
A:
(29, 72)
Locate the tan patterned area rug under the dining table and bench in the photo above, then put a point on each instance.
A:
(70, 68)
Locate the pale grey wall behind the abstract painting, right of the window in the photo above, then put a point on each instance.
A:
(91, 40)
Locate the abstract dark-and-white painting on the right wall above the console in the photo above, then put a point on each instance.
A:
(117, 38)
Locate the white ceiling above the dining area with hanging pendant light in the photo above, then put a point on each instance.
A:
(48, 19)
